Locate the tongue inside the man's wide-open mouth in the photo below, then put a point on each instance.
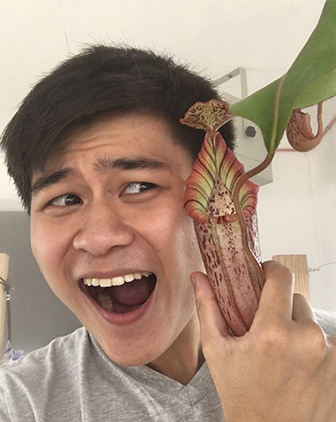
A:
(134, 293)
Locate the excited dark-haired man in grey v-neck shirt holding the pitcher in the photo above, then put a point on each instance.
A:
(100, 159)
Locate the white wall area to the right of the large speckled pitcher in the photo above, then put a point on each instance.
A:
(297, 212)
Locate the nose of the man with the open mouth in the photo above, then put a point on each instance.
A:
(101, 229)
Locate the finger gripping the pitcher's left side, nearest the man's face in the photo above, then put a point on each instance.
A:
(209, 314)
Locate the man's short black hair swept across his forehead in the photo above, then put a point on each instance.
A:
(99, 80)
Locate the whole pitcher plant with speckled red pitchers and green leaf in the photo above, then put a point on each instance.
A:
(220, 197)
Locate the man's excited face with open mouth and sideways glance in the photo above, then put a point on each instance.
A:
(108, 209)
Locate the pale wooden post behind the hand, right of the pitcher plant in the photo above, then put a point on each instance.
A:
(299, 266)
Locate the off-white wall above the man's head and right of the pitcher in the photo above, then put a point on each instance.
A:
(216, 36)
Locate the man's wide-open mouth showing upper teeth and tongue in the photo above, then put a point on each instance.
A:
(121, 294)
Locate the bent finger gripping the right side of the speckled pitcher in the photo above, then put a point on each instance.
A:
(277, 294)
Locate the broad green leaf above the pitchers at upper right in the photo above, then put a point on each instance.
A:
(310, 79)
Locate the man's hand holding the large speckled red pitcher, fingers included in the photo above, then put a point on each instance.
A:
(283, 369)
